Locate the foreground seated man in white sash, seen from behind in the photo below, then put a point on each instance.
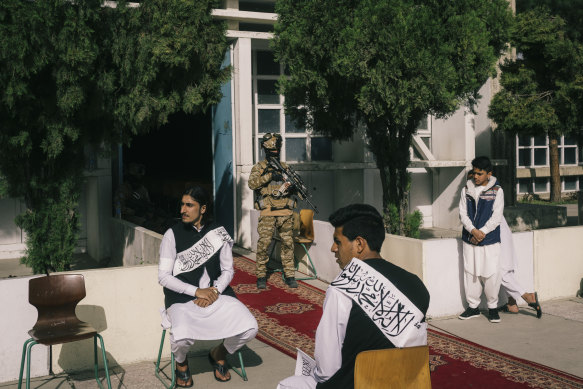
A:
(371, 305)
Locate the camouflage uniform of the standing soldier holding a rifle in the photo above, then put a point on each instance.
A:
(276, 212)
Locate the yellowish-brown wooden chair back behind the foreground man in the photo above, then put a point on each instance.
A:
(393, 368)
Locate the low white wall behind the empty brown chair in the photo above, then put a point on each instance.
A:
(122, 304)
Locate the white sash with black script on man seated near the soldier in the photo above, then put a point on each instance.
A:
(201, 251)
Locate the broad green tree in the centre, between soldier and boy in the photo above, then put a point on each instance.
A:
(386, 64)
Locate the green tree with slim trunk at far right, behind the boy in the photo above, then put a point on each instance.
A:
(542, 86)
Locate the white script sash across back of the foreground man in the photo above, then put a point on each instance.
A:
(392, 312)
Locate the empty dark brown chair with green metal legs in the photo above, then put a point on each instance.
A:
(55, 298)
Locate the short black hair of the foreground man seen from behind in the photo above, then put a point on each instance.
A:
(360, 220)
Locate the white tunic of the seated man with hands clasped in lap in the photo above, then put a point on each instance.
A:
(224, 318)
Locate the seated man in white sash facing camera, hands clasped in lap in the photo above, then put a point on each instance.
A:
(195, 269)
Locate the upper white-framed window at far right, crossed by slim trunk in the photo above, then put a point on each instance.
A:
(533, 151)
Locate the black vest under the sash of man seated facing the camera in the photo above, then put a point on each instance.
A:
(185, 236)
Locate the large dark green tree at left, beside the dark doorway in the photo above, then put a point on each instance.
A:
(78, 73)
